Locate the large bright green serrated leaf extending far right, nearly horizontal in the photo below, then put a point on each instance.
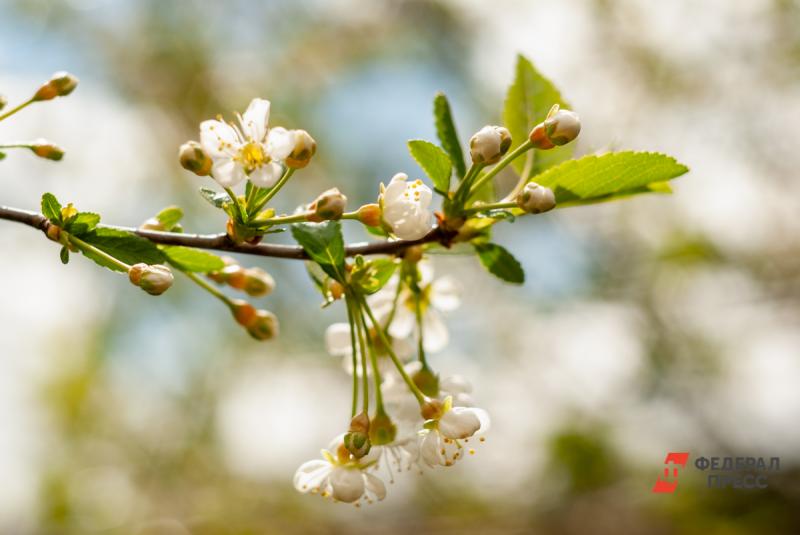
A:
(610, 176)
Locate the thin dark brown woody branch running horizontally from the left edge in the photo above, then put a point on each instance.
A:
(222, 242)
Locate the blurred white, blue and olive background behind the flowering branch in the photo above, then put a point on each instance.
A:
(663, 323)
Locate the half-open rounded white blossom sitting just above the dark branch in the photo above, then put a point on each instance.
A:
(405, 207)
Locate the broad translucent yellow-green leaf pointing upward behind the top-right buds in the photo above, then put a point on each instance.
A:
(528, 100)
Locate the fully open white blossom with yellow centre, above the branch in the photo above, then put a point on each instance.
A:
(249, 150)
